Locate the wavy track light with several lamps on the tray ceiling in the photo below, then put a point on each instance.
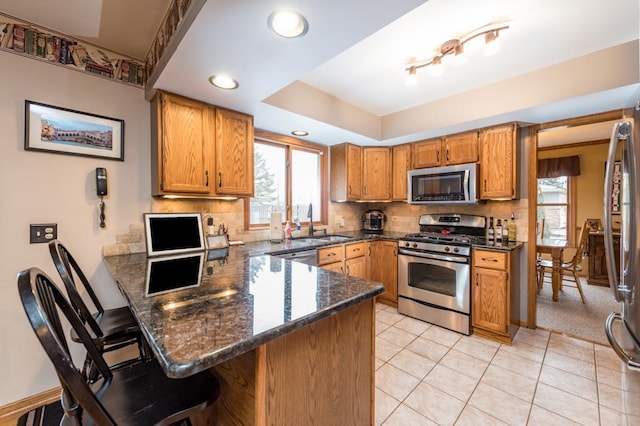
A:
(455, 47)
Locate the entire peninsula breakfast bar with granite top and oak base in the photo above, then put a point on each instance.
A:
(290, 343)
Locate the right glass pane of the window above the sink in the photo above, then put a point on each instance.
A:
(305, 184)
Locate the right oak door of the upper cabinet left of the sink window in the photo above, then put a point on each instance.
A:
(234, 153)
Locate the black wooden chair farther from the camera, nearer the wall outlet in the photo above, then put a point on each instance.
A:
(111, 329)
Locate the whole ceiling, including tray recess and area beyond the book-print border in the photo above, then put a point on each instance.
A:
(345, 80)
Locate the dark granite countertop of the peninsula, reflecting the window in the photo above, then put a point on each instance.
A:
(243, 300)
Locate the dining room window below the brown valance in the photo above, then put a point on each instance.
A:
(555, 196)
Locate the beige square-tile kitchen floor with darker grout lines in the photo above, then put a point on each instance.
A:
(427, 375)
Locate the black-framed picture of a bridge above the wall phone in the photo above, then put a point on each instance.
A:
(64, 131)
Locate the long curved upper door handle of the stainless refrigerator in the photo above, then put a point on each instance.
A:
(608, 220)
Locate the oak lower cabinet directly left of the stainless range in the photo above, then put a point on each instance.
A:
(383, 268)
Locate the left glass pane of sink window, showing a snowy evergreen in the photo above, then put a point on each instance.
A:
(270, 189)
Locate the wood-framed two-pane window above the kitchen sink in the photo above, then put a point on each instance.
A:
(290, 175)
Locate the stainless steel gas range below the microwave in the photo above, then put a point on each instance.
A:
(434, 270)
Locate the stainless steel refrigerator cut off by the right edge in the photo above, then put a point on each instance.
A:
(622, 194)
